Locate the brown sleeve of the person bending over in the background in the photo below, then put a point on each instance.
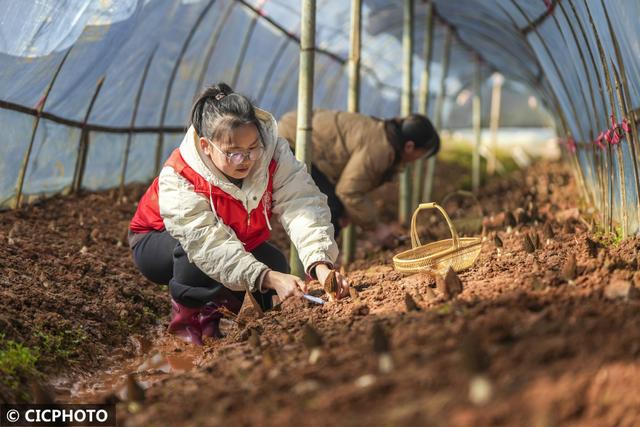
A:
(362, 174)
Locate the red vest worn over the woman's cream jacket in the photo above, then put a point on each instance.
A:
(250, 228)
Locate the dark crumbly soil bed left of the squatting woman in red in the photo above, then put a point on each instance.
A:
(70, 296)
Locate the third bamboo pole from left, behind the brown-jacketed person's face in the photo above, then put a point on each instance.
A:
(404, 208)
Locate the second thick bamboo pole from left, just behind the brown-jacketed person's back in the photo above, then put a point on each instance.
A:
(353, 105)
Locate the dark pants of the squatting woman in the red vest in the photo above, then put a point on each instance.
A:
(161, 259)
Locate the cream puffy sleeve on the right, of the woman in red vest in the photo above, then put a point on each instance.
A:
(302, 209)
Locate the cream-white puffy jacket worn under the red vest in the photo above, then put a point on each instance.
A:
(213, 246)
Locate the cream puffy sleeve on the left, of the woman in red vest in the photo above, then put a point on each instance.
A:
(209, 243)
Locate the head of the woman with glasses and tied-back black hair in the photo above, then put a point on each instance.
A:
(229, 131)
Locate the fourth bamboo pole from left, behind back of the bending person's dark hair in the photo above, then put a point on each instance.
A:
(423, 104)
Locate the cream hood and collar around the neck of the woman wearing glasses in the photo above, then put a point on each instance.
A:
(255, 183)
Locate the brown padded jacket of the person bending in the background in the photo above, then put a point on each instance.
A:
(353, 152)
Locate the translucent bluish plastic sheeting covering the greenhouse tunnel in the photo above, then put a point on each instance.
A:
(126, 72)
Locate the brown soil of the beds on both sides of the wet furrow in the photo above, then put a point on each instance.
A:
(520, 346)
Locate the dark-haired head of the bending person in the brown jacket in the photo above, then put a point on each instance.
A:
(419, 137)
